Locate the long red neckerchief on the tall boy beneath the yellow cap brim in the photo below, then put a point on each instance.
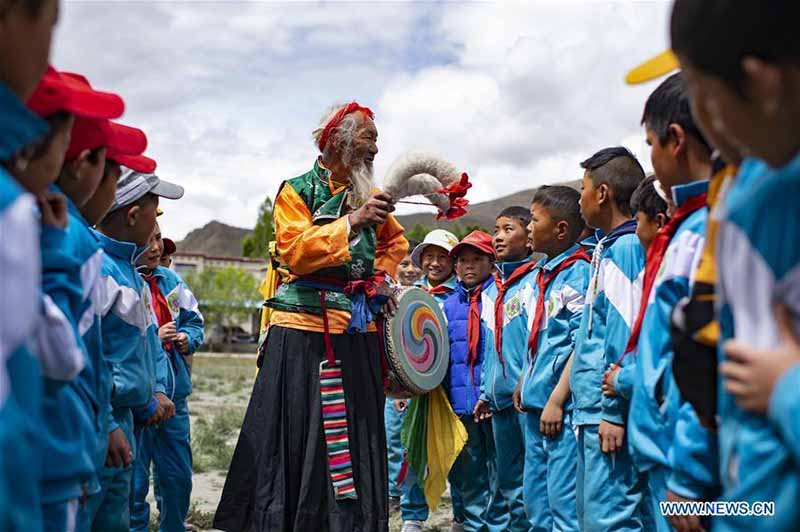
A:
(655, 256)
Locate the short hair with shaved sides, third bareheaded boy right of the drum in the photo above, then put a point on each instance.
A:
(619, 169)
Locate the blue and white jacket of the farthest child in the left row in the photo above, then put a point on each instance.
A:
(186, 314)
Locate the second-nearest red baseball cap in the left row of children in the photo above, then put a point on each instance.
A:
(90, 134)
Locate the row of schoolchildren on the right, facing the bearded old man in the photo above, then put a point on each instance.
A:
(655, 357)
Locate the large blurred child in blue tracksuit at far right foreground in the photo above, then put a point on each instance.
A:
(756, 247)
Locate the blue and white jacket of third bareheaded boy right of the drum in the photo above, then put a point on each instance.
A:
(612, 303)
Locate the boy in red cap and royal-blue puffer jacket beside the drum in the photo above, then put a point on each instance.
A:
(472, 475)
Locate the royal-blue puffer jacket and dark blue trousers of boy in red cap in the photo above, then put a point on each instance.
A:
(473, 474)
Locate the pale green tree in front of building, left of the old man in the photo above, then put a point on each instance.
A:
(227, 297)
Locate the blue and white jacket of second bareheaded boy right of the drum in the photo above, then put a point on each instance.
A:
(565, 297)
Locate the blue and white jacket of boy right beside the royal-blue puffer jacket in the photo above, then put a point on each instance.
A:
(499, 381)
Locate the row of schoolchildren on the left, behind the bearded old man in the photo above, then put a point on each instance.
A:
(96, 335)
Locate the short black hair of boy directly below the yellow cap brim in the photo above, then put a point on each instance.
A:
(669, 104)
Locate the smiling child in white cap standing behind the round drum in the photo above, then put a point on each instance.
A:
(432, 256)
